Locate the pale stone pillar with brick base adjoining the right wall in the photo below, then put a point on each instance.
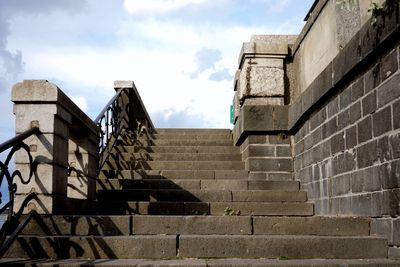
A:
(260, 108)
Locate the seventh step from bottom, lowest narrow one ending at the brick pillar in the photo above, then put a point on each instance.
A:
(175, 174)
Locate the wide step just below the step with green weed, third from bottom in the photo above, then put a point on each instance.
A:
(199, 225)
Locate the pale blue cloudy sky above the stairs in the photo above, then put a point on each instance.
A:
(181, 54)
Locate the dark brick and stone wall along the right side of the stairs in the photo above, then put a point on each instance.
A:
(342, 117)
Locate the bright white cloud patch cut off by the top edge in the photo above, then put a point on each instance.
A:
(158, 6)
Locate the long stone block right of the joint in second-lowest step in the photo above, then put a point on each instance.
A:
(273, 247)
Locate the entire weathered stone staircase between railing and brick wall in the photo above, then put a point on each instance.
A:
(182, 197)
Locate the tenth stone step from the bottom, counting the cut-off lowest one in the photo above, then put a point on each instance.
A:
(178, 149)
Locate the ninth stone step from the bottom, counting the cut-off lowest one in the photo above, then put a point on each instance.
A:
(177, 157)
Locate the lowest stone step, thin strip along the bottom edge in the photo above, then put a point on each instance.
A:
(232, 262)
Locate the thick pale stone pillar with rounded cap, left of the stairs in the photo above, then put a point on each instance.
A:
(68, 137)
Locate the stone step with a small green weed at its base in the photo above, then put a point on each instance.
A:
(204, 208)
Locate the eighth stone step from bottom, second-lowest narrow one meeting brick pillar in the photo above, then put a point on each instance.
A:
(174, 165)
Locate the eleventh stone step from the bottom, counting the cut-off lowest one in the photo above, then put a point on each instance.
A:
(176, 142)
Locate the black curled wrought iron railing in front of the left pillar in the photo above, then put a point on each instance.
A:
(12, 225)
